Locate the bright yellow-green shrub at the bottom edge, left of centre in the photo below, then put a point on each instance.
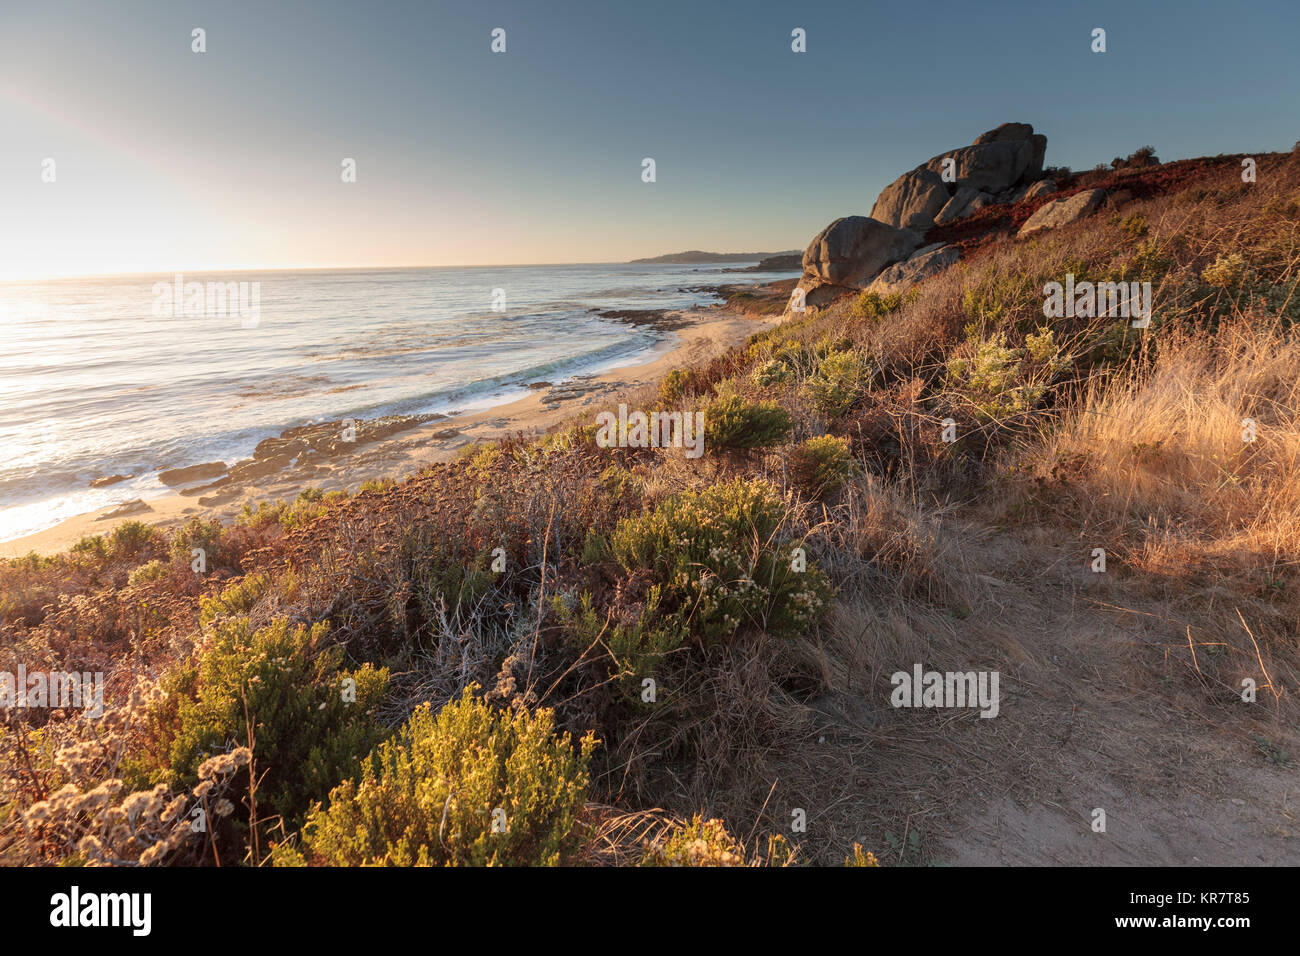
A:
(430, 797)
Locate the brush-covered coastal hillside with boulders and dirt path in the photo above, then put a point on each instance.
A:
(1022, 423)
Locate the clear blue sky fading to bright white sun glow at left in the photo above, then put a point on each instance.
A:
(170, 161)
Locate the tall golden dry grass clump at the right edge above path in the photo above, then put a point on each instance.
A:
(1169, 453)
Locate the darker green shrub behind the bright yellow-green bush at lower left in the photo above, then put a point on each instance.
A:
(311, 720)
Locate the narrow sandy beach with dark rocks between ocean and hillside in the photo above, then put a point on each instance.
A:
(701, 334)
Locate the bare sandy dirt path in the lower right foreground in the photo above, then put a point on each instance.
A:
(1102, 707)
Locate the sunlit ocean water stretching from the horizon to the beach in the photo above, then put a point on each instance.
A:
(112, 377)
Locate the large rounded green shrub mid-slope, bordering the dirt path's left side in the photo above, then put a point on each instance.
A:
(720, 563)
